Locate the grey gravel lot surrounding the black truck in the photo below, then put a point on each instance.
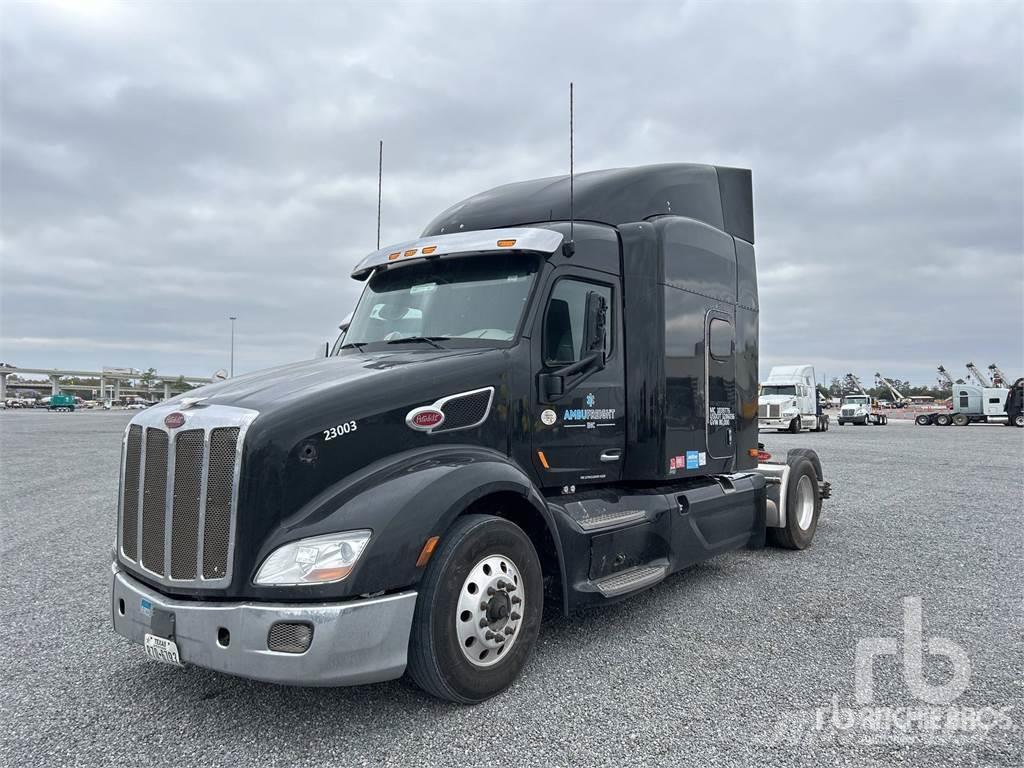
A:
(726, 664)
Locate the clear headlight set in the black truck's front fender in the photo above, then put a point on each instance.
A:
(321, 560)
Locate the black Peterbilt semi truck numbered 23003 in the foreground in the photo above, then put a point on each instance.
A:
(529, 405)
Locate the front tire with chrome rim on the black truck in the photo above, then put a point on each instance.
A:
(454, 653)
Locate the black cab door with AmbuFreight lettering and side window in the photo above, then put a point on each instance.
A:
(579, 438)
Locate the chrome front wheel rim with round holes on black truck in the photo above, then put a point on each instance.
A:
(489, 616)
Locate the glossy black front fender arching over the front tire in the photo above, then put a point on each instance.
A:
(404, 500)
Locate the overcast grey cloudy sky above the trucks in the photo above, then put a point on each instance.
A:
(167, 165)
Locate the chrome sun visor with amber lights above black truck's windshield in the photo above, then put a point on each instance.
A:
(461, 244)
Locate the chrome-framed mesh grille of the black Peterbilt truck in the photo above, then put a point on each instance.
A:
(179, 495)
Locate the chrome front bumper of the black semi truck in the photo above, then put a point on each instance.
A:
(355, 643)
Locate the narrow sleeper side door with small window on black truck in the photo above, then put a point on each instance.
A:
(721, 387)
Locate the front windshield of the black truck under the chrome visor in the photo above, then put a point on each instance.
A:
(471, 300)
